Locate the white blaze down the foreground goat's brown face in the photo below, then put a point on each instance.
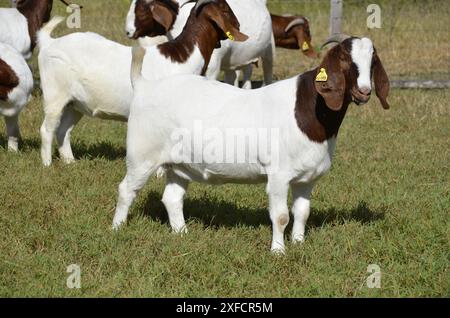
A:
(362, 50)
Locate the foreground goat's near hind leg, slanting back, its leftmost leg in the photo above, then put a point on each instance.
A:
(137, 176)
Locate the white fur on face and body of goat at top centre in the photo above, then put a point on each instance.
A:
(255, 21)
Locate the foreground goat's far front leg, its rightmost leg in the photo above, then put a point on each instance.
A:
(301, 195)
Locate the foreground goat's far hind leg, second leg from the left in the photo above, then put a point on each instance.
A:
(173, 196)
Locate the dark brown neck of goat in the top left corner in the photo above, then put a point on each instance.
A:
(37, 13)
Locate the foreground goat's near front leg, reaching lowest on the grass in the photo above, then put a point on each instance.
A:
(277, 190)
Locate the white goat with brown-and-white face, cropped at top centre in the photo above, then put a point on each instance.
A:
(158, 17)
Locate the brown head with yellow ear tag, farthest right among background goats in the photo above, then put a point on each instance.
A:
(299, 28)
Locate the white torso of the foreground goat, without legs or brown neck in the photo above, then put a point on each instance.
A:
(154, 117)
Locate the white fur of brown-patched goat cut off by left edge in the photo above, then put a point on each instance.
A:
(18, 97)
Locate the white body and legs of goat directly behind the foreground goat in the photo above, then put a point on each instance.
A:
(93, 73)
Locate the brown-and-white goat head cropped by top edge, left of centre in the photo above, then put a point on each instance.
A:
(150, 17)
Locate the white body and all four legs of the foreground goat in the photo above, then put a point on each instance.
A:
(156, 112)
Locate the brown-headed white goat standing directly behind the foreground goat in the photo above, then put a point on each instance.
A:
(86, 74)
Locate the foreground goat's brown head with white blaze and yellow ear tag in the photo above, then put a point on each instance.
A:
(345, 74)
